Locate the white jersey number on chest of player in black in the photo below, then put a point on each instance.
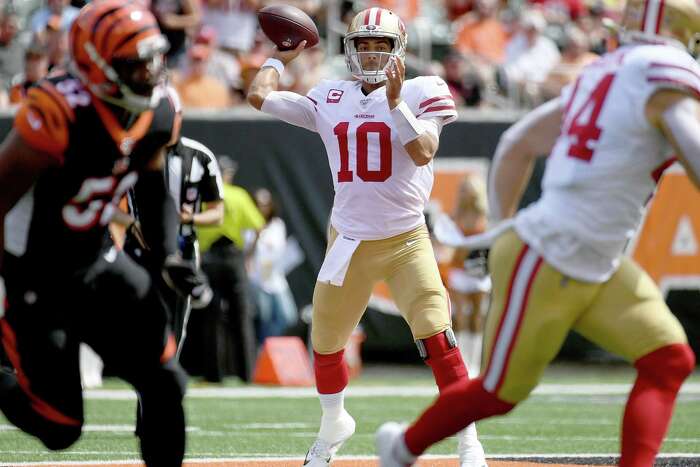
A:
(96, 201)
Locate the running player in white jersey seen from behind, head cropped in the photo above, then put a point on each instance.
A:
(560, 265)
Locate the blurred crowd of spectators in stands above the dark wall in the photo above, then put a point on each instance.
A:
(492, 53)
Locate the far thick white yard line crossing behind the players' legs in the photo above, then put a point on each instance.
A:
(254, 392)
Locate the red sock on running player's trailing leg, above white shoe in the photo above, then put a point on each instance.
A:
(457, 406)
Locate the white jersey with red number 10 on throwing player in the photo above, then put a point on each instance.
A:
(379, 191)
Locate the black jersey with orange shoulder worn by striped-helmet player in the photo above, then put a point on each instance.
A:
(97, 161)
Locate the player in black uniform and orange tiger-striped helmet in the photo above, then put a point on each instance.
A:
(80, 140)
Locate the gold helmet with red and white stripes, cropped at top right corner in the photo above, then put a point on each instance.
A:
(663, 21)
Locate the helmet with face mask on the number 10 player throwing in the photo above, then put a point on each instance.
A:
(374, 23)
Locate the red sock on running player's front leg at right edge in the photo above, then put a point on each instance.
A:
(660, 375)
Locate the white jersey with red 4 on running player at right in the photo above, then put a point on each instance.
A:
(607, 160)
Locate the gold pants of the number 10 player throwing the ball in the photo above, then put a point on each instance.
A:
(407, 263)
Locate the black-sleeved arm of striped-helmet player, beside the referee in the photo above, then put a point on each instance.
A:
(157, 215)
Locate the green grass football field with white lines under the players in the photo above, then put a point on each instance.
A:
(576, 411)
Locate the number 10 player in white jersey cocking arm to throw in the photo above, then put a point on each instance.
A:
(381, 134)
